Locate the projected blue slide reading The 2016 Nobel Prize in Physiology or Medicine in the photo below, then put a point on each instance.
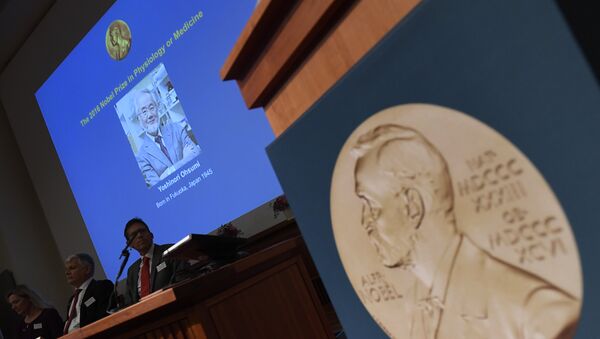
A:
(143, 125)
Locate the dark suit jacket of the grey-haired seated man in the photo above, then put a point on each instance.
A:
(100, 290)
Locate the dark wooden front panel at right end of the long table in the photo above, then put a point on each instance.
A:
(240, 312)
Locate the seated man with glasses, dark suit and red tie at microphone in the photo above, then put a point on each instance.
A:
(150, 272)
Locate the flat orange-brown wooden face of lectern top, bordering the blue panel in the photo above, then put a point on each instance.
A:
(365, 24)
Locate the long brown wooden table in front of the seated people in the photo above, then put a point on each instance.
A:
(268, 294)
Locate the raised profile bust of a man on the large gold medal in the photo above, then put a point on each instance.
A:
(461, 290)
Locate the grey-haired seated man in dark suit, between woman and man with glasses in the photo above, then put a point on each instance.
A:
(90, 299)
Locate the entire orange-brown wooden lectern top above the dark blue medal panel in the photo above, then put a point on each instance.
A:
(291, 52)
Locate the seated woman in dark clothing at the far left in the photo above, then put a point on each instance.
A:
(38, 318)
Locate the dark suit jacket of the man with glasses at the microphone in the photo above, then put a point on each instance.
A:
(158, 280)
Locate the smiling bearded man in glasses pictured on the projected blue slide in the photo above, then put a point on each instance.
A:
(165, 148)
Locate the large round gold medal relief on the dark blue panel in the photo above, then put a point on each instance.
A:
(446, 230)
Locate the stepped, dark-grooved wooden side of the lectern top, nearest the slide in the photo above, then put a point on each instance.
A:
(275, 41)
